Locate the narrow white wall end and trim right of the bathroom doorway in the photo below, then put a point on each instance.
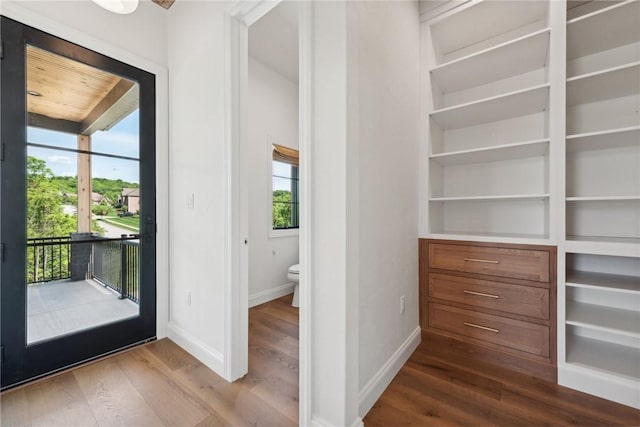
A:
(334, 299)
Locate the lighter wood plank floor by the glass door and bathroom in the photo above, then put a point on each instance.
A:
(160, 384)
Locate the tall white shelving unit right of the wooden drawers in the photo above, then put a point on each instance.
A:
(599, 257)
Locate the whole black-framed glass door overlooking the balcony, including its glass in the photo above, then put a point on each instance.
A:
(78, 204)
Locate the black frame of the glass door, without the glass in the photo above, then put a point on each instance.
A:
(22, 362)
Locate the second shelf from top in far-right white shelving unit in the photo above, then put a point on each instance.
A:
(611, 83)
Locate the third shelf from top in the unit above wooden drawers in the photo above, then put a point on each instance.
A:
(519, 150)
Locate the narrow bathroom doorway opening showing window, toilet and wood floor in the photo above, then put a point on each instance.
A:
(272, 180)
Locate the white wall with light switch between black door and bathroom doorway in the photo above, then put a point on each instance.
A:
(198, 167)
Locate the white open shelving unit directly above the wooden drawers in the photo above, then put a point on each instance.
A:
(488, 107)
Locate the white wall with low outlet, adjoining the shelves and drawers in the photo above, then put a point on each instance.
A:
(385, 70)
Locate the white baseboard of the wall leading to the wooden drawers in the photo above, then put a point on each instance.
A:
(372, 391)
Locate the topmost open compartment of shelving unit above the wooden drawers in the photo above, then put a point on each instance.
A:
(485, 22)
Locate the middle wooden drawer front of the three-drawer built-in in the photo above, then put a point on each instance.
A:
(507, 297)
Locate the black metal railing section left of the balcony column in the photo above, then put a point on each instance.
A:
(48, 258)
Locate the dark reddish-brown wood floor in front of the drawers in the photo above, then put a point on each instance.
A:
(437, 387)
